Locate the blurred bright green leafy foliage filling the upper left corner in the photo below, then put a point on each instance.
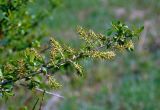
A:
(21, 21)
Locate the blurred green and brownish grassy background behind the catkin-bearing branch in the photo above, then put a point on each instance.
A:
(129, 82)
